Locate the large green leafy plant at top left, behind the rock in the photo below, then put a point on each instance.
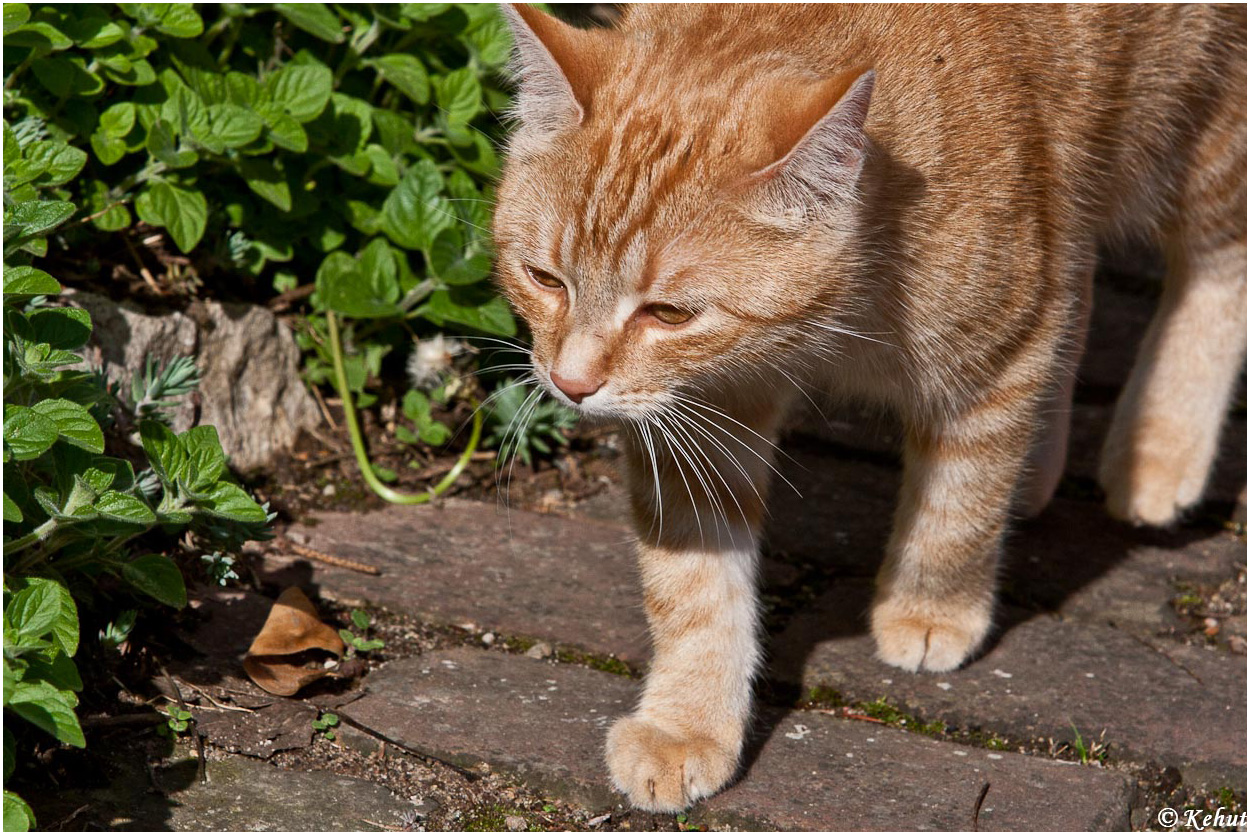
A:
(353, 144)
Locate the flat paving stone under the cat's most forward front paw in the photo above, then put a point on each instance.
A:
(546, 724)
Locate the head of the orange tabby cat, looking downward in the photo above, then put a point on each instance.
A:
(668, 227)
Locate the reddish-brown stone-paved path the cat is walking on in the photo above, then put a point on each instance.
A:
(1088, 642)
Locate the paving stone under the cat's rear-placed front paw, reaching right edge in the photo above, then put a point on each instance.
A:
(1154, 699)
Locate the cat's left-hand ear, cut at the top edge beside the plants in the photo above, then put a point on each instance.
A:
(557, 68)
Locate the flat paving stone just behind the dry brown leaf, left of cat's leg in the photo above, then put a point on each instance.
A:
(508, 572)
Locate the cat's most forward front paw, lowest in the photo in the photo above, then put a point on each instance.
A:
(661, 772)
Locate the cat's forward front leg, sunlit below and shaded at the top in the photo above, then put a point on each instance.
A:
(698, 516)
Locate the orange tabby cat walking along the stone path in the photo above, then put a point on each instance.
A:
(709, 207)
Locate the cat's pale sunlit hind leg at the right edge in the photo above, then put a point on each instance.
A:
(1167, 427)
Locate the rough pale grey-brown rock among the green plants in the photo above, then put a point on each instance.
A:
(249, 366)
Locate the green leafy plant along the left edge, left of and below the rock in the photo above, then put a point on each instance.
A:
(71, 511)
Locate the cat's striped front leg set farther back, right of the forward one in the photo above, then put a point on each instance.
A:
(936, 591)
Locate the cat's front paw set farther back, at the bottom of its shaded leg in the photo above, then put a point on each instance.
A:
(924, 637)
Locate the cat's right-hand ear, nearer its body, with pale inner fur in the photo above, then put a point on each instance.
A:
(819, 146)
